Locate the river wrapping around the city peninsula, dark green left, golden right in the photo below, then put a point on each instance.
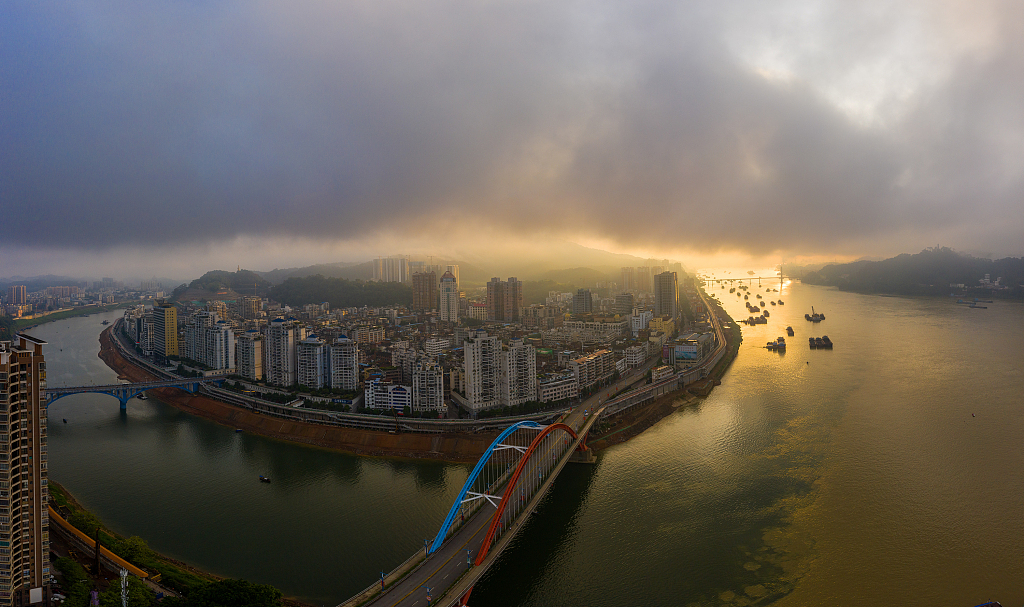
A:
(886, 471)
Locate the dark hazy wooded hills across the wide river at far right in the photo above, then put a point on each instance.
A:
(929, 273)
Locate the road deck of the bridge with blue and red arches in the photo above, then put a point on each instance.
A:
(446, 572)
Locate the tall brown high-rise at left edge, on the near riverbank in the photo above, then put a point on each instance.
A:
(25, 567)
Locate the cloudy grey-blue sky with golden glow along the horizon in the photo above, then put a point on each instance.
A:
(180, 135)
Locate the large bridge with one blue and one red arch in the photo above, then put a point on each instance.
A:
(503, 490)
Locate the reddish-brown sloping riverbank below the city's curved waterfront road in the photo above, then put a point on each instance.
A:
(449, 448)
